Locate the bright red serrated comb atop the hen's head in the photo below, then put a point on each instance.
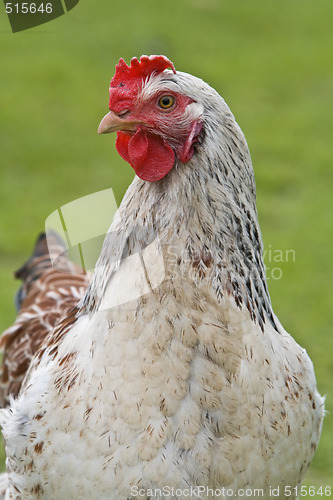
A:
(139, 69)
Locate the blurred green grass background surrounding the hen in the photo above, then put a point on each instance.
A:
(271, 61)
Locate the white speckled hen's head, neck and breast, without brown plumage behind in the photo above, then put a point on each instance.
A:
(172, 377)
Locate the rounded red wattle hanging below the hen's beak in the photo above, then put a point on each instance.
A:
(150, 156)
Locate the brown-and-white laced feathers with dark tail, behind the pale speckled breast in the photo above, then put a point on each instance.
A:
(52, 286)
